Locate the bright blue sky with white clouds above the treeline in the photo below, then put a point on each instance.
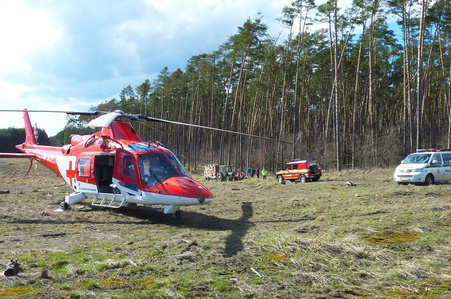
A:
(69, 55)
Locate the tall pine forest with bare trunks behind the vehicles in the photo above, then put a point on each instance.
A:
(356, 88)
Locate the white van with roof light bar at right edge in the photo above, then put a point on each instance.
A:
(424, 167)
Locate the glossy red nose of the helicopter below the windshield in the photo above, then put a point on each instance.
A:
(187, 187)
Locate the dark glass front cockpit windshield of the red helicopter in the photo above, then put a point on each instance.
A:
(155, 168)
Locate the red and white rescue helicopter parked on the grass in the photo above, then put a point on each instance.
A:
(115, 168)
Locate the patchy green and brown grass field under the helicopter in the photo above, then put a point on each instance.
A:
(258, 239)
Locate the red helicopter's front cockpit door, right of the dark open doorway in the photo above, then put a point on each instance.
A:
(126, 170)
